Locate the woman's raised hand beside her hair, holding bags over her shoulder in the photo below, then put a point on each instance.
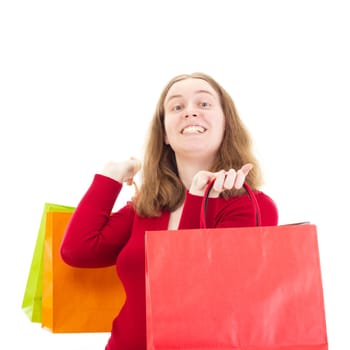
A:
(122, 171)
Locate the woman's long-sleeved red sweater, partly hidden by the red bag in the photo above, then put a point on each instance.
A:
(96, 238)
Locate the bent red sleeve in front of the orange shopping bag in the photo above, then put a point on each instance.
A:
(94, 237)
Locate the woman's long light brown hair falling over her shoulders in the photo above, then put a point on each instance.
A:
(161, 187)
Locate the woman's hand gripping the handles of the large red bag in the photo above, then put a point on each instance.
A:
(225, 180)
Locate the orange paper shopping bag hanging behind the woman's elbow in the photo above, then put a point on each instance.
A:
(76, 299)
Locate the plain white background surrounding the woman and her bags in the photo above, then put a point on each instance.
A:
(78, 85)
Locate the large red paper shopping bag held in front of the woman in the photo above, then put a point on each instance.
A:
(235, 288)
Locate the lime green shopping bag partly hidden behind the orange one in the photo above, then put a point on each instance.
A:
(31, 304)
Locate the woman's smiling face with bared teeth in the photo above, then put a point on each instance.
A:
(194, 120)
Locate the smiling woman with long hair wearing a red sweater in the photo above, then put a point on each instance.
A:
(195, 136)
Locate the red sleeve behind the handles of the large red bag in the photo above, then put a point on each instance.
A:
(232, 212)
